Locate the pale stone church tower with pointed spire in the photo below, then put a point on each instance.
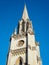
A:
(24, 50)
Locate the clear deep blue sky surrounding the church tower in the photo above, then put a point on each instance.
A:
(11, 13)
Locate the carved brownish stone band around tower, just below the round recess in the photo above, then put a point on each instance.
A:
(21, 50)
